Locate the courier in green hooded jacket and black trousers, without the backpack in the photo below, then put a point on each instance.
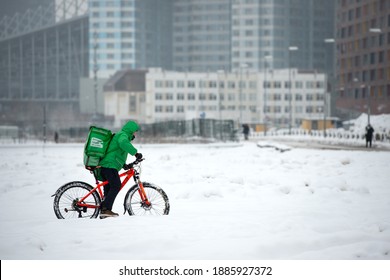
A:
(113, 161)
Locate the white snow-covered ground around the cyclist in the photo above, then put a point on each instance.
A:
(228, 201)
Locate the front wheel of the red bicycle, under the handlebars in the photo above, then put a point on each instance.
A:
(156, 196)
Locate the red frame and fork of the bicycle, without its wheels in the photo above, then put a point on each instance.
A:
(128, 174)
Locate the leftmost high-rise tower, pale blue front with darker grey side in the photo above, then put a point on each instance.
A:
(129, 34)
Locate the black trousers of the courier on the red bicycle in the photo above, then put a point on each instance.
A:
(113, 187)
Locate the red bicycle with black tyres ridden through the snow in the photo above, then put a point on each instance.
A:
(81, 200)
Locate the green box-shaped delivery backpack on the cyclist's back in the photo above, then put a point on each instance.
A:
(96, 146)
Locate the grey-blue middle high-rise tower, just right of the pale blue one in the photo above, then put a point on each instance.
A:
(202, 35)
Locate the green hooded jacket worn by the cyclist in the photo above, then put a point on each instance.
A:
(120, 147)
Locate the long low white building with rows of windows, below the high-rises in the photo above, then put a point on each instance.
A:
(243, 96)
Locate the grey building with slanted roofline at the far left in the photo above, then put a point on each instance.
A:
(41, 65)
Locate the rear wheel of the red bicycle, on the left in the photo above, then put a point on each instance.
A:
(66, 199)
